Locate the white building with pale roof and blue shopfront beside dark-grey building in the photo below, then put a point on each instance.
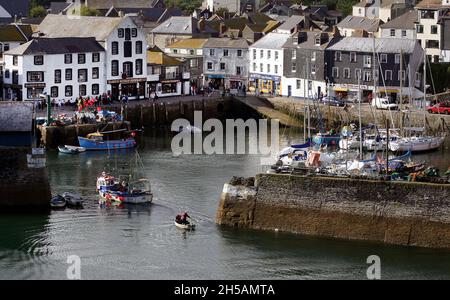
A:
(266, 63)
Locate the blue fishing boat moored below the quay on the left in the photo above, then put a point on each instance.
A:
(97, 141)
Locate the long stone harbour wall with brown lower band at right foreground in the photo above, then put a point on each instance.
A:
(401, 213)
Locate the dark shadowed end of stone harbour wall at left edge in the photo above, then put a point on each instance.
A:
(22, 188)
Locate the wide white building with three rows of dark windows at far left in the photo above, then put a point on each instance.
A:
(63, 68)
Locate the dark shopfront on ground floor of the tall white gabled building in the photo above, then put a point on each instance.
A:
(133, 88)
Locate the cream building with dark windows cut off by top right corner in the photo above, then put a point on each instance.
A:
(430, 30)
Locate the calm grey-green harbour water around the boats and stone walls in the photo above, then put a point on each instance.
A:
(140, 242)
